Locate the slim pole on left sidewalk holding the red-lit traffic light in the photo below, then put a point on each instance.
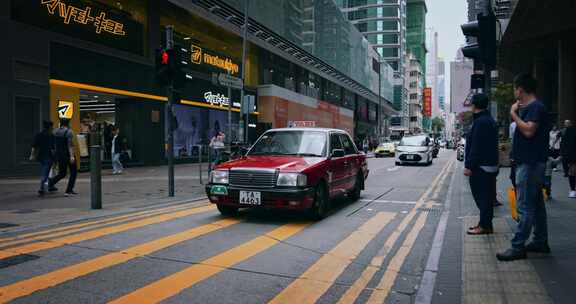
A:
(169, 116)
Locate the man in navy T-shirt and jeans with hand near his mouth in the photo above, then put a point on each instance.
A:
(530, 152)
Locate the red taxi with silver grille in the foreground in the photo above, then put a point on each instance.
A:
(291, 169)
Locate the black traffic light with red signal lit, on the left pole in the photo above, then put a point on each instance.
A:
(170, 66)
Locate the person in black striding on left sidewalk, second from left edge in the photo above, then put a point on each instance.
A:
(65, 157)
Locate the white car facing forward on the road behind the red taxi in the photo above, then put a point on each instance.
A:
(414, 150)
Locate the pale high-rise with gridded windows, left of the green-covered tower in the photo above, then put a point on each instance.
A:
(383, 22)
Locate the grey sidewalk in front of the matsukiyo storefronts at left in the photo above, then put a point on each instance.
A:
(140, 187)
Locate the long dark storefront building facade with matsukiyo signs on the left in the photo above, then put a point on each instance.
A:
(94, 61)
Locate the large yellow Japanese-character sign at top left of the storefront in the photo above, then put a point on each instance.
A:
(84, 16)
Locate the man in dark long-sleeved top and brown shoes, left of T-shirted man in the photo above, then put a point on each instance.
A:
(481, 163)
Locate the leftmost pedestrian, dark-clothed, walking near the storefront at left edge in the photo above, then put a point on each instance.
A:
(43, 152)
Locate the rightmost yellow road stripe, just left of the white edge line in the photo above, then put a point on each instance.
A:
(383, 288)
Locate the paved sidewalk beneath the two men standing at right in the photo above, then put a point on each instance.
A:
(469, 271)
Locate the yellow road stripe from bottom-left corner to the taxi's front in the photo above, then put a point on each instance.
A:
(27, 287)
